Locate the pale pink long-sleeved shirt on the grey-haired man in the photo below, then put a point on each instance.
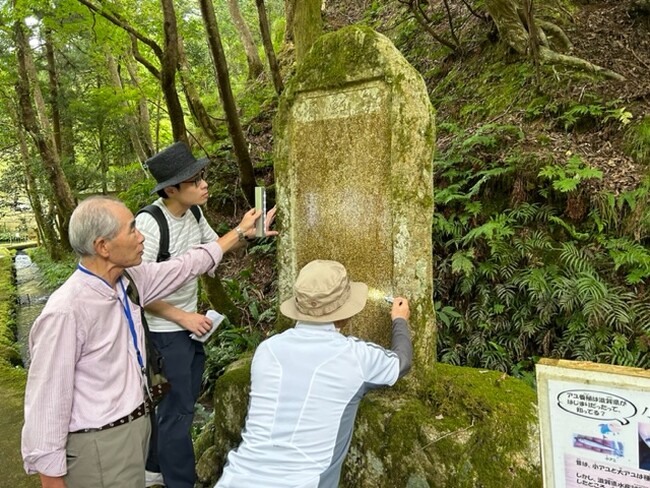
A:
(84, 371)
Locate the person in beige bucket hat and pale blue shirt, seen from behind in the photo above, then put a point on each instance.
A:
(307, 382)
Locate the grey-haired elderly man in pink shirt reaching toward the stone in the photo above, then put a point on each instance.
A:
(86, 403)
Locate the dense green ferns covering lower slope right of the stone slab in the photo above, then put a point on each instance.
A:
(517, 276)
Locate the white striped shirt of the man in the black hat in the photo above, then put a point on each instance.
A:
(184, 232)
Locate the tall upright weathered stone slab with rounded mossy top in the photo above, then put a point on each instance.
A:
(354, 141)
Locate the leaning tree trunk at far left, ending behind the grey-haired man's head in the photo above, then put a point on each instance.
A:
(64, 200)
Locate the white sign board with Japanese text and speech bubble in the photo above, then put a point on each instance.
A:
(595, 425)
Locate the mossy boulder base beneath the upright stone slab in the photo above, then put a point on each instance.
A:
(460, 428)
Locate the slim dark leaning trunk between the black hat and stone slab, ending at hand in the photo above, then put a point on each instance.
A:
(240, 147)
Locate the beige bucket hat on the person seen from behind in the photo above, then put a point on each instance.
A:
(324, 293)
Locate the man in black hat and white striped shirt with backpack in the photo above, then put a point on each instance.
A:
(181, 188)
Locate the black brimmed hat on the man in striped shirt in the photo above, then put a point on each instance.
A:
(174, 165)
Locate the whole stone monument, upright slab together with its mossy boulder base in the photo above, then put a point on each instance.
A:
(354, 140)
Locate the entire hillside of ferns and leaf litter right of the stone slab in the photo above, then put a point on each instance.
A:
(541, 184)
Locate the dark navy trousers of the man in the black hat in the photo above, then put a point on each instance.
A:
(184, 361)
